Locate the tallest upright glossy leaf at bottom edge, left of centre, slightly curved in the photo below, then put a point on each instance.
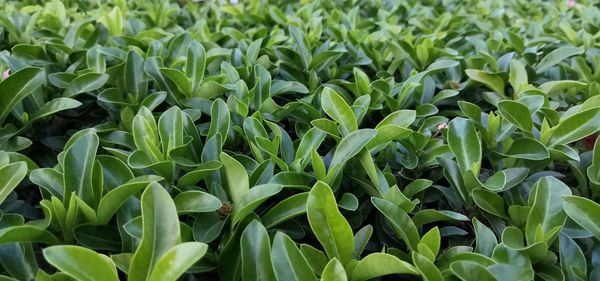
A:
(160, 234)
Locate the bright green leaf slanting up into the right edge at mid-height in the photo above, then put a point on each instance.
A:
(575, 127)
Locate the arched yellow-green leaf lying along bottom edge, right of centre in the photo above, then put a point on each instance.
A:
(380, 264)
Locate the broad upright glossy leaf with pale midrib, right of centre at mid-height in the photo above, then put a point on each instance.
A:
(465, 144)
